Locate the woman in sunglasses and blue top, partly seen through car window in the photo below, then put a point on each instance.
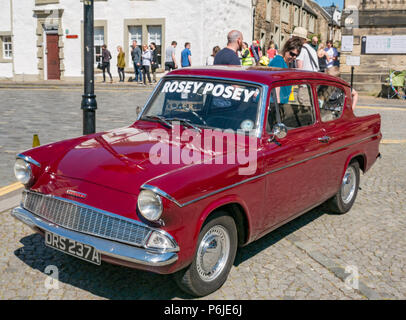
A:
(290, 51)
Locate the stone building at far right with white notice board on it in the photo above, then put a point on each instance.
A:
(378, 28)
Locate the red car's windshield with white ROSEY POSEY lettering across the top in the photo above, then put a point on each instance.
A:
(206, 103)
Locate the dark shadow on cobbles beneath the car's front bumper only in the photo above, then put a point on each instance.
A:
(107, 281)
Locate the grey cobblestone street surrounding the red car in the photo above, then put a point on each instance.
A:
(316, 256)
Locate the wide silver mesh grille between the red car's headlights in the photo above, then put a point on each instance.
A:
(81, 218)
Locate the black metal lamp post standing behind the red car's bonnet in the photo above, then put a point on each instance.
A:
(89, 104)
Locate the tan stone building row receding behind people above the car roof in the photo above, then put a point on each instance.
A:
(276, 19)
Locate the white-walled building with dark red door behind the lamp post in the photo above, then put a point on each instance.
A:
(43, 39)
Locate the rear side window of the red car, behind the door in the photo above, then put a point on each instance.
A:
(331, 102)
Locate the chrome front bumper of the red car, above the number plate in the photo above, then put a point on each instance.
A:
(105, 247)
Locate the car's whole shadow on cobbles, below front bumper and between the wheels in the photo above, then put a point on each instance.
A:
(116, 282)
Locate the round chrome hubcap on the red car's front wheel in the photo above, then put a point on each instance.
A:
(213, 252)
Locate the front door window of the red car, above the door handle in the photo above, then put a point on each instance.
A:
(296, 107)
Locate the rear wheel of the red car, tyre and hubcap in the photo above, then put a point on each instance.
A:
(345, 197)
